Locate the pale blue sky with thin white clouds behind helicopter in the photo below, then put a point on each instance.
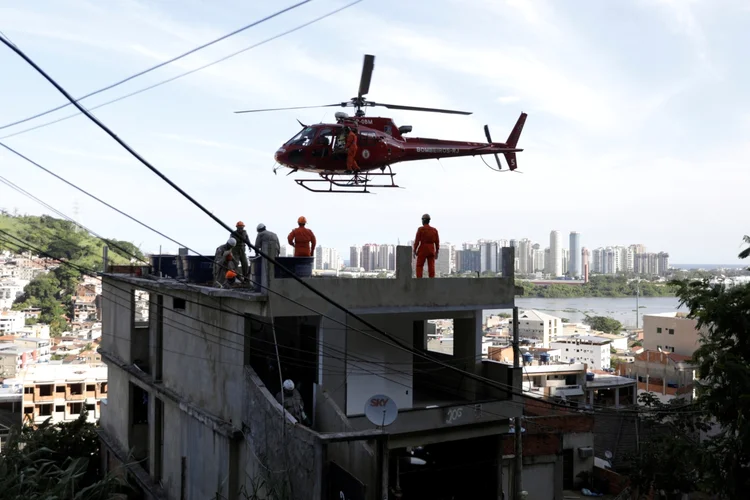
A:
(638, 128)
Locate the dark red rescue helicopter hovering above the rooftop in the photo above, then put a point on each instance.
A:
(320, 148)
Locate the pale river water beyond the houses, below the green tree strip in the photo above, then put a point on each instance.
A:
(621, 309)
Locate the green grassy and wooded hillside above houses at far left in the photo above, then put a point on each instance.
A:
(57, 238)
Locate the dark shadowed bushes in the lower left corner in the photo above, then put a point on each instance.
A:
(58, 462)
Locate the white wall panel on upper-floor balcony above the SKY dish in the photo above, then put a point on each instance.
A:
(379, 374)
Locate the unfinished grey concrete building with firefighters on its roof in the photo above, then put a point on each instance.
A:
(192, 410)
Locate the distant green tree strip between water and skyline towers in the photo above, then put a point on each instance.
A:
(598, 286)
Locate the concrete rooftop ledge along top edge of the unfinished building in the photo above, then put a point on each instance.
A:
(403, 294)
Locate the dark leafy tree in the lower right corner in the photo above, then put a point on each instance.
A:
(677, 461)
